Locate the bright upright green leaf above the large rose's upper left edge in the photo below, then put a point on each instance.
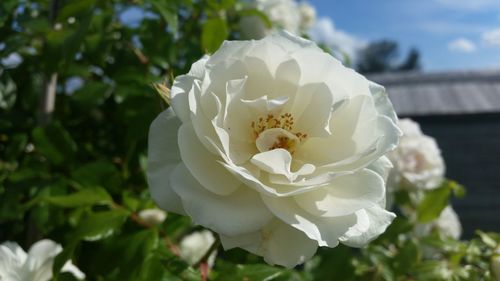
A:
(214, 32)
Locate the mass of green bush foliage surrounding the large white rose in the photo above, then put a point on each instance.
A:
(80, 180)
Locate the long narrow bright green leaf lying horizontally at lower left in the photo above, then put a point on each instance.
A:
(87, 196)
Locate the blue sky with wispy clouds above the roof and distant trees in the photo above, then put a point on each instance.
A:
(450, 34)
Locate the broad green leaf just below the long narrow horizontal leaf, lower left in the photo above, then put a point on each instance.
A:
(101, 225)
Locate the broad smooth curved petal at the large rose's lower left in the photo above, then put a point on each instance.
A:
(240, 212)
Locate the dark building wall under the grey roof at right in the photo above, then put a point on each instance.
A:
(471, 148)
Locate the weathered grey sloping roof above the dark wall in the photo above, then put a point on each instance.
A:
(419, 94)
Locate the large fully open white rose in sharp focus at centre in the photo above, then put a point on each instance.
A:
(276, 146)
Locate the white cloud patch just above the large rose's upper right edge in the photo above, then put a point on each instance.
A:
(324, 31)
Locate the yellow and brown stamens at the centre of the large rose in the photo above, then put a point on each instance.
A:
(273, 132)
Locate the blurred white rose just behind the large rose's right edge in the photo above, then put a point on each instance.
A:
(417, 160)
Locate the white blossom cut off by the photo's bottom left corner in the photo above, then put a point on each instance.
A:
(36, 265)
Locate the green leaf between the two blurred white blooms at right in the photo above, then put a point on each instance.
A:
(433, 204)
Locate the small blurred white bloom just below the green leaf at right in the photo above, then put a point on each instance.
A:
(447, 224)
